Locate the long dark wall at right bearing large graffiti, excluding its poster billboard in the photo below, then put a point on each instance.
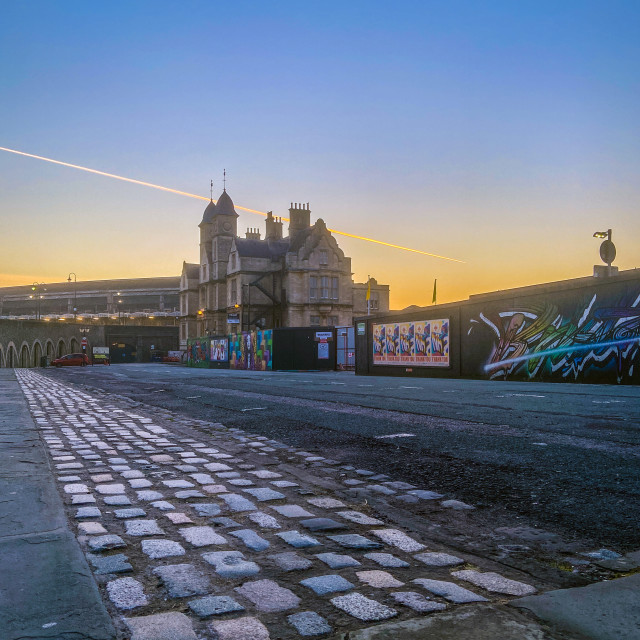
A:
(582, 330)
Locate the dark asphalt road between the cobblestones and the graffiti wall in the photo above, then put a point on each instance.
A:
(562, 457)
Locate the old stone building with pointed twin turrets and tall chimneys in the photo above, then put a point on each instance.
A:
(303, 279)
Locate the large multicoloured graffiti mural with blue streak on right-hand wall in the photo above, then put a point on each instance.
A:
(592, 338)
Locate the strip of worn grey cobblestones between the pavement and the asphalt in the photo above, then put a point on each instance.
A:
(235, 536)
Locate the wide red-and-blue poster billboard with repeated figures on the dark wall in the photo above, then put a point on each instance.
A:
(422, 343)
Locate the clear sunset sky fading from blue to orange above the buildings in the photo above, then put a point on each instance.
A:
(500, 133)
